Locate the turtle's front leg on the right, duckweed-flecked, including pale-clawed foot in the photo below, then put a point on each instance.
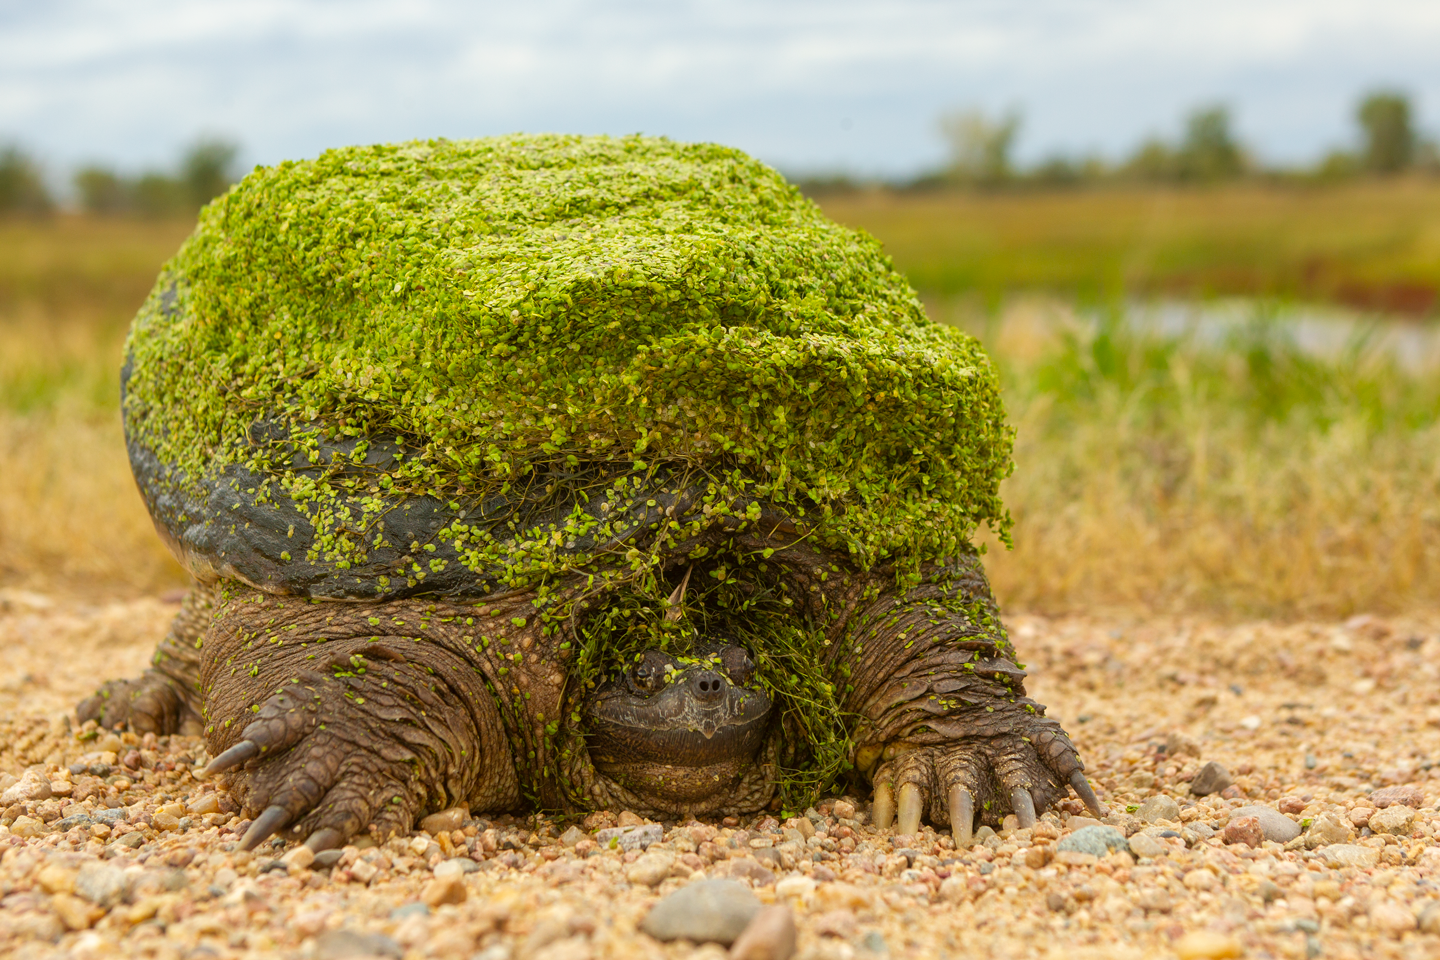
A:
(947, 730)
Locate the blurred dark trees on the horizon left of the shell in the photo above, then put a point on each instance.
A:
(204, 172)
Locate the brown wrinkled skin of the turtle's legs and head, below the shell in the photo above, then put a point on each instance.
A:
(329, 717)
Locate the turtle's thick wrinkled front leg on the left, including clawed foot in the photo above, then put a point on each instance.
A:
(329, 719)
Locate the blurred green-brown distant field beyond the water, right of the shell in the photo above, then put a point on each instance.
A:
(1367, 244)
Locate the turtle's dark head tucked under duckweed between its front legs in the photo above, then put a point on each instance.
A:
(679, 730)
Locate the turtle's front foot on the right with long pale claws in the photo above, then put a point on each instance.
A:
(1003, 761)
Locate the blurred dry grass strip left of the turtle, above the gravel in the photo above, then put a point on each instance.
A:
(70, 513)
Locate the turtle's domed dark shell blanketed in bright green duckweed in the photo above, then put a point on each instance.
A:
(456, 366)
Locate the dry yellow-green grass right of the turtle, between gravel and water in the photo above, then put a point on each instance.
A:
(1243, 479)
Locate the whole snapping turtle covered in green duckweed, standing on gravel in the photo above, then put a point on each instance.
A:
(571, 473)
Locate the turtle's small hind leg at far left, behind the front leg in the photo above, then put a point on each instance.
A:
(166, 699)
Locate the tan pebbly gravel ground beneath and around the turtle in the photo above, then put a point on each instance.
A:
(110, 847)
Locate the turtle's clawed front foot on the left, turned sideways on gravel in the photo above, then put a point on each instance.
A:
(374, 739)
